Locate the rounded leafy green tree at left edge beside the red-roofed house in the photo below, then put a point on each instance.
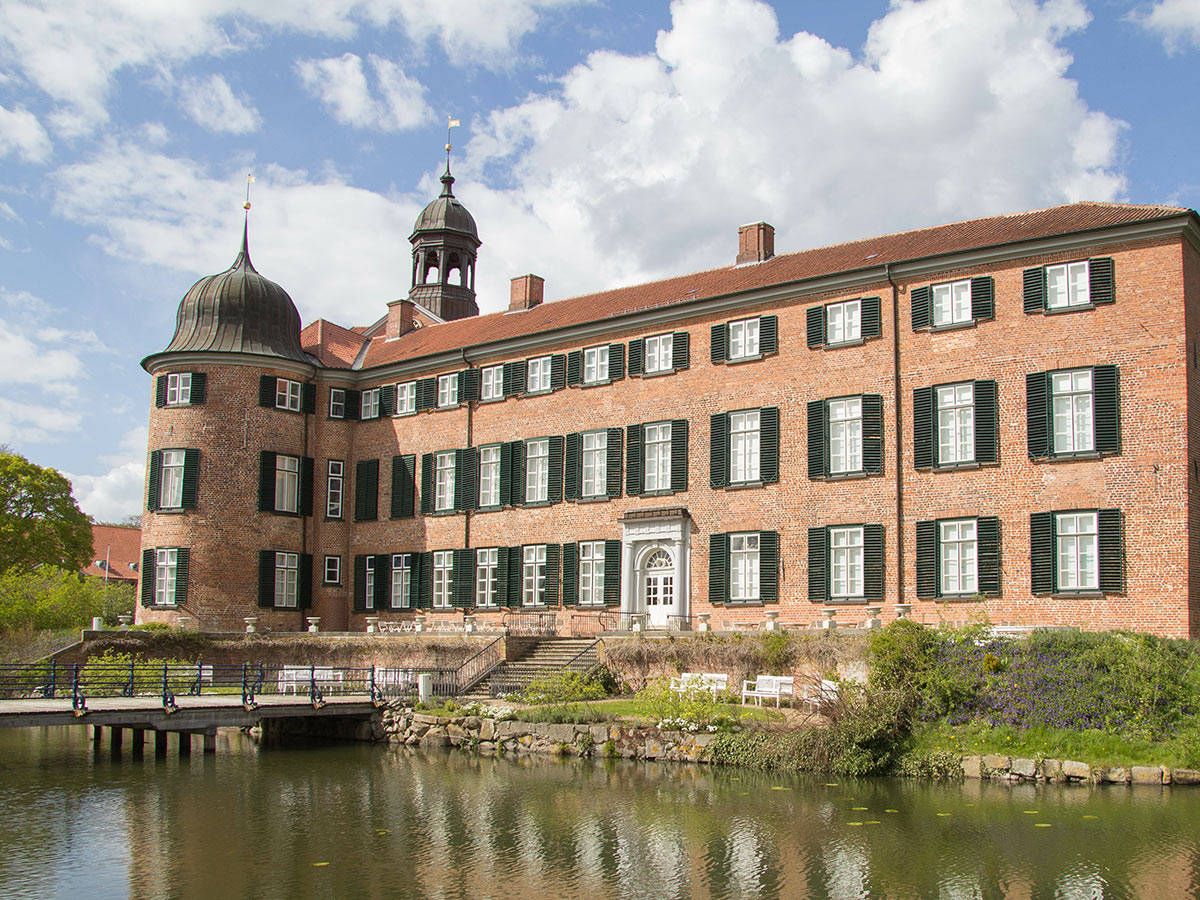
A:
(40, 521)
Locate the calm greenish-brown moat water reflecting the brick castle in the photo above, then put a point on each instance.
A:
(345, 821)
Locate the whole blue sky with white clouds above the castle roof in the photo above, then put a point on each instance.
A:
(602, 145)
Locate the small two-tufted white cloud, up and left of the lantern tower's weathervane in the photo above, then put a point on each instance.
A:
(341, 85)
